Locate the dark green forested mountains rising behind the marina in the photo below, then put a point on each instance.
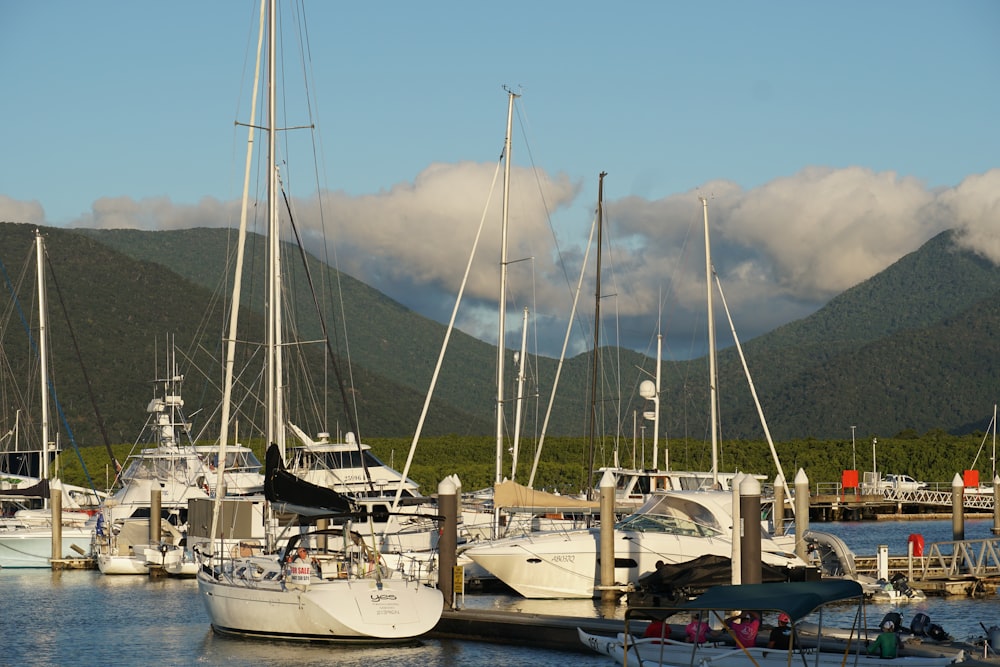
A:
(909, 349)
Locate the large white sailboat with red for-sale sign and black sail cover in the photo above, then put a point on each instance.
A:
(328, 583)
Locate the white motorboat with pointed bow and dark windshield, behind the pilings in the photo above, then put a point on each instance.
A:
(672, 527)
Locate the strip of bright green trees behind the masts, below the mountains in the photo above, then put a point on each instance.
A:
(934, 457)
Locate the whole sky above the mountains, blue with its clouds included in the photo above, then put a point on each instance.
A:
(831, 138)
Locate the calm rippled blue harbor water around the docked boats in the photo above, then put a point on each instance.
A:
(85, 618)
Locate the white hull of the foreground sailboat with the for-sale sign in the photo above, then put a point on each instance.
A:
(338, 610)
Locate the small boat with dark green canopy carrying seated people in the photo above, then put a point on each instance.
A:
(796, 599)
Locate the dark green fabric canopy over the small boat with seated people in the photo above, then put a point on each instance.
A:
(797, 598)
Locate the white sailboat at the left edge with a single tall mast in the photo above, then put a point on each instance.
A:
(26, 538)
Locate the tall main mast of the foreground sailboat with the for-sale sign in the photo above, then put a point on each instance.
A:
(275, 425)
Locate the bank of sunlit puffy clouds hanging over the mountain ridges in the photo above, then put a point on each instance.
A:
(781, 250)
